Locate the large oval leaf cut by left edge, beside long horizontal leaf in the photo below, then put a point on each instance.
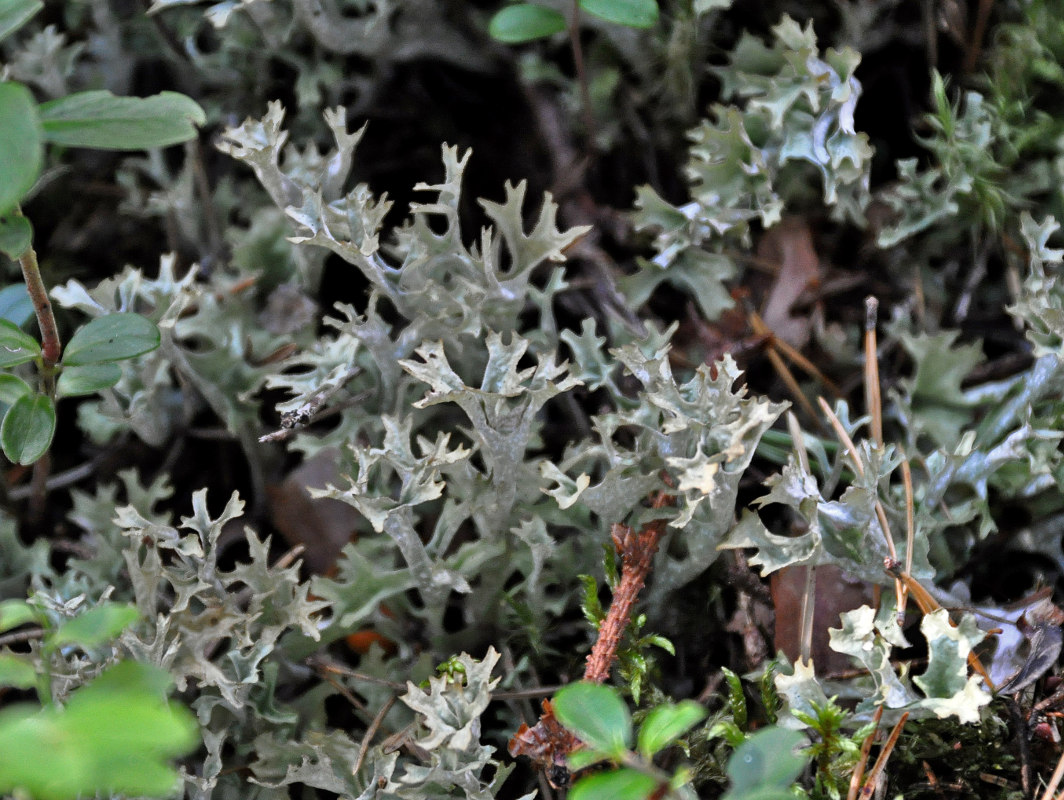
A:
(20, 143)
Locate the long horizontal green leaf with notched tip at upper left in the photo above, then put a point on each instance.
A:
(101, 121)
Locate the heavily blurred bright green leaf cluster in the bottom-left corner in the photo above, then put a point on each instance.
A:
(115, 737)
